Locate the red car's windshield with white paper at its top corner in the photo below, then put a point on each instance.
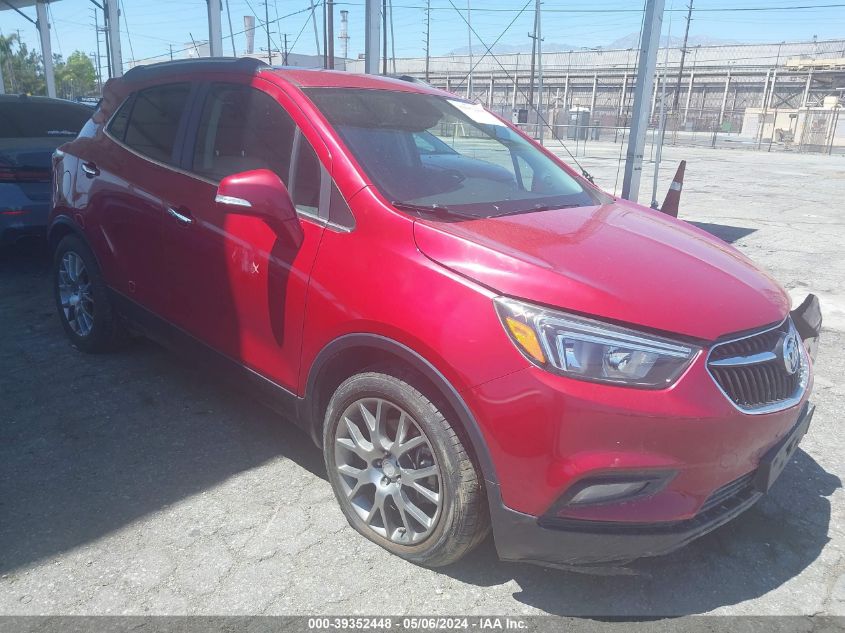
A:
(430, 151)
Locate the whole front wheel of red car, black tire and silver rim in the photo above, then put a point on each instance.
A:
(401, 473)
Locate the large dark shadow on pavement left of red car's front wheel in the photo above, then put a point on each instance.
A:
(90, 443)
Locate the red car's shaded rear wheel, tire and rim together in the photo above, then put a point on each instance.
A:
(85, 309)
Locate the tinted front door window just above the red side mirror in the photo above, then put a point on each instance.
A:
(242, 128)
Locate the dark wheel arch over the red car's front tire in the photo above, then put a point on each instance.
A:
(353, 353)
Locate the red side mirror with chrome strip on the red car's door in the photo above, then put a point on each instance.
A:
(257, 192)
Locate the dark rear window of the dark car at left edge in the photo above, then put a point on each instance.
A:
(30, 118)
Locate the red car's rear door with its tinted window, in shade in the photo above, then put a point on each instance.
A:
(126, 175)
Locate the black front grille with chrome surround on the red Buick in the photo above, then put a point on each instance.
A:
(752, 373)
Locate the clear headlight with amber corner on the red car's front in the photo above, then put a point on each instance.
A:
(591, 350)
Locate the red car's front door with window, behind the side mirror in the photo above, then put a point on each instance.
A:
(233, 280)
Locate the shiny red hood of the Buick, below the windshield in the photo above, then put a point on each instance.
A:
(618, 261)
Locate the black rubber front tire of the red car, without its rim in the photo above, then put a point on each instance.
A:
(463, 520)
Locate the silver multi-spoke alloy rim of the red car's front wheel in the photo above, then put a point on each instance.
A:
(388, 471)
